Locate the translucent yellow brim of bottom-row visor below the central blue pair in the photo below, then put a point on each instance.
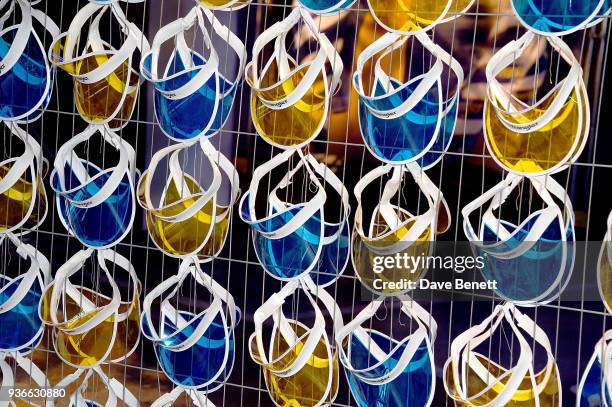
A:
(308, 386)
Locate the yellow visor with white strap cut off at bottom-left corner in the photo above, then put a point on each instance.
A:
(35, 381)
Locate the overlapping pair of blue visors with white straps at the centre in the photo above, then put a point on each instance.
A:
(294, 239)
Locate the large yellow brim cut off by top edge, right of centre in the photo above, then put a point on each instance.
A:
(408, 15)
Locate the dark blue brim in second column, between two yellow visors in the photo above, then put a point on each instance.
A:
(102, 225)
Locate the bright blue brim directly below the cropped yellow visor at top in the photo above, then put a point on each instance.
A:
(405, 138)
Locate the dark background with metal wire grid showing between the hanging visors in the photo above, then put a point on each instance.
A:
(238, 269)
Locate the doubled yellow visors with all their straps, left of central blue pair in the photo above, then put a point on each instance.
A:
(184, 218)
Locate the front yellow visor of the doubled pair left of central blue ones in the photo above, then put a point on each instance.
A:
(183, 218)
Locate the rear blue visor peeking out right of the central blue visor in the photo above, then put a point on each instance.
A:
(336, 239)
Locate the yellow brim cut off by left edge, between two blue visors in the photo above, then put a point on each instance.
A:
(16, 201)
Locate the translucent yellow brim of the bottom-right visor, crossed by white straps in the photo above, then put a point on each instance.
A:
(524, 395)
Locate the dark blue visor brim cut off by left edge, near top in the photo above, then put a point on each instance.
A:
(25, 88)
